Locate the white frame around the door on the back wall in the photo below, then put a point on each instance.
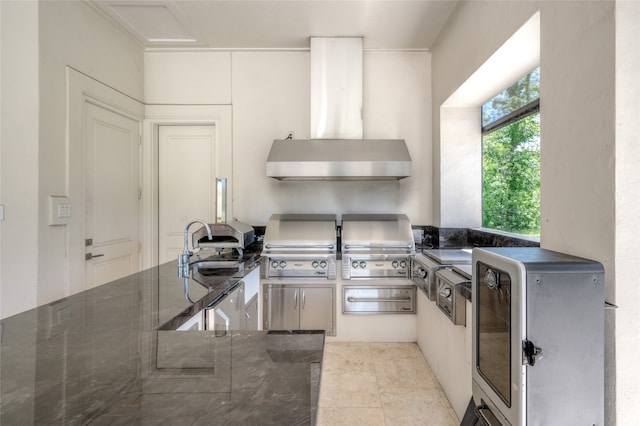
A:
(218, 116)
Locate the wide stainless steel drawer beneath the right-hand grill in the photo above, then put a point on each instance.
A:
(379, 300)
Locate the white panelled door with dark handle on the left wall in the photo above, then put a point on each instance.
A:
(111, 195)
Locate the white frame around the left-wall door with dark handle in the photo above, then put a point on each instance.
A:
(82, 89)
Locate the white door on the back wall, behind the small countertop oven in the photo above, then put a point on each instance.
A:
(186, 184)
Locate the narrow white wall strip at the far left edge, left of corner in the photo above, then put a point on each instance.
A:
(19, 156)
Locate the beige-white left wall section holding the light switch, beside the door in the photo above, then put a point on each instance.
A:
(72, 34)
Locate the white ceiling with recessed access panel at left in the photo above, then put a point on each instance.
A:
(277, 24)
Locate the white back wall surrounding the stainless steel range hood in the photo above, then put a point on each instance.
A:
(270, 97)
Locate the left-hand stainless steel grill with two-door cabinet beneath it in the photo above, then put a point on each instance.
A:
(299, 272)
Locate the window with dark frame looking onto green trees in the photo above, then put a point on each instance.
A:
(511, 158)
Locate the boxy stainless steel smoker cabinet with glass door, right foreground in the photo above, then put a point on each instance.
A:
(538, 337)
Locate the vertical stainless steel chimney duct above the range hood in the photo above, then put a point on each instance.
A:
(336, 87)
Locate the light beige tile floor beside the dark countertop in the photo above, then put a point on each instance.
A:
(380, 384)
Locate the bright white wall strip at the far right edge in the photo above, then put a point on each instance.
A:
(627, 211)
